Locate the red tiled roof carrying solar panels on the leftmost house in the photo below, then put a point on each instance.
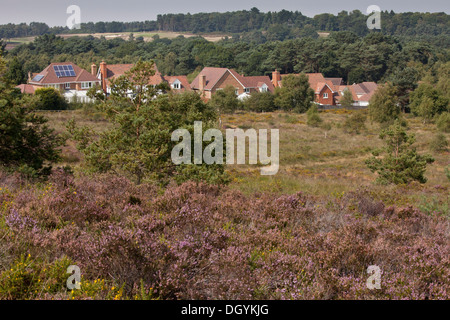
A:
(49, 76)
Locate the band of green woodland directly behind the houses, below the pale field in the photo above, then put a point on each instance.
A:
(374, 57)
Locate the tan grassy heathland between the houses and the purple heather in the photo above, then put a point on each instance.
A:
(316, 161)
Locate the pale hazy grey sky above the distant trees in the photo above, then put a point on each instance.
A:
(53, 12)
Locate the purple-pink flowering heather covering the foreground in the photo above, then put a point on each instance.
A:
(197, 241)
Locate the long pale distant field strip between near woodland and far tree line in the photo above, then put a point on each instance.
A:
(148, 36)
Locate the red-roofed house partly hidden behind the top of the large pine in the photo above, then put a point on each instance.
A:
(108, 72)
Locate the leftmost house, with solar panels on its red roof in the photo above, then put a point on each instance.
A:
(71, 80)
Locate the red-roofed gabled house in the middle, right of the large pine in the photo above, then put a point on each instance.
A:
(210, 80)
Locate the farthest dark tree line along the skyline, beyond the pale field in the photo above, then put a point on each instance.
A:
(280, 25)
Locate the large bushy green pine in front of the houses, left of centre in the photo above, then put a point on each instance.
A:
(139, 144)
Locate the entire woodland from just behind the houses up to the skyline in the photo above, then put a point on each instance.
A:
(258, 44)
